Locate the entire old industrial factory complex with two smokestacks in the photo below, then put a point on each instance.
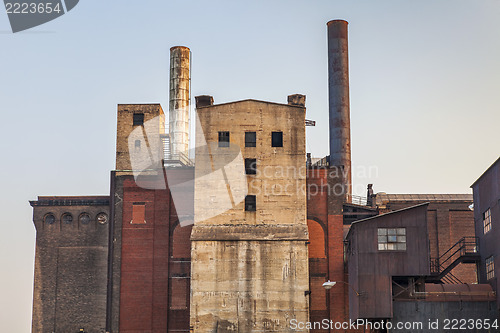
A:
(229, 242)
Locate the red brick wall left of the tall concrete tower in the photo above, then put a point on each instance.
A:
(155, 262)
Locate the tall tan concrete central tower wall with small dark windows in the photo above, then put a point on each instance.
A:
(250, 268)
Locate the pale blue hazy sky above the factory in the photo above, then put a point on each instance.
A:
(424, 94)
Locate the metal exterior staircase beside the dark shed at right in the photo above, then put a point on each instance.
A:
(465, 251)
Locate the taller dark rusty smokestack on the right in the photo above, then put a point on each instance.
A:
(338, 92)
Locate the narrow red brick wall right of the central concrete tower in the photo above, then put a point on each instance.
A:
(325, 221)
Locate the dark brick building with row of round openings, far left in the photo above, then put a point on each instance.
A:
(70, 265)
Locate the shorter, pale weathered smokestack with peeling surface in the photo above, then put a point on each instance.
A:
(178, 111)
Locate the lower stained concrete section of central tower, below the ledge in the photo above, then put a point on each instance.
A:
(248, 286)
